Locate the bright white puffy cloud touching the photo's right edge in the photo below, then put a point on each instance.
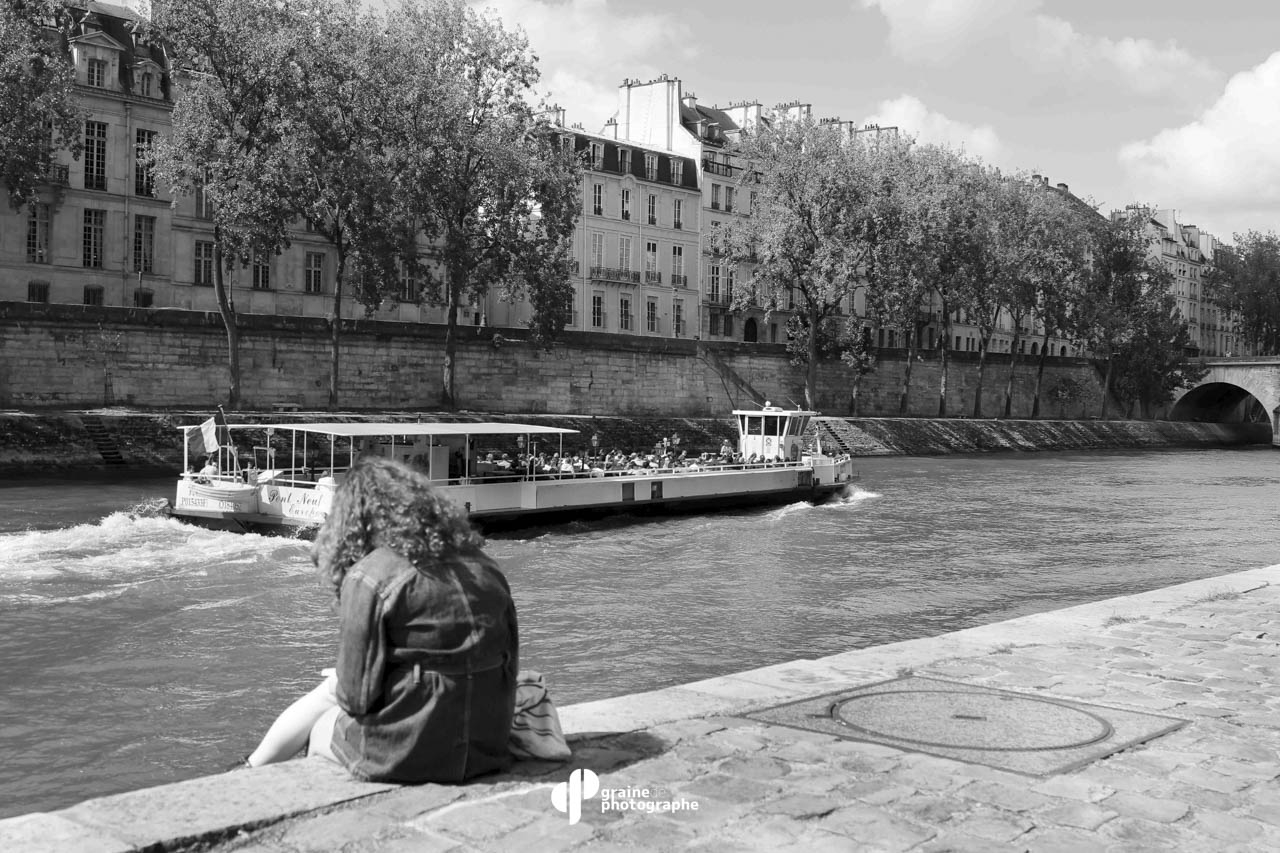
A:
(1224, 162)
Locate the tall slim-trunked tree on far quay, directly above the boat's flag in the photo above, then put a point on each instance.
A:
(240, 71)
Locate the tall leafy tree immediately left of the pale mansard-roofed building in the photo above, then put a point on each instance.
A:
(493, 186)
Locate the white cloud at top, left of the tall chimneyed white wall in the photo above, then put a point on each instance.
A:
(587, 49)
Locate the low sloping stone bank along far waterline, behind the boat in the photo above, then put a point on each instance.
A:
(106, 439)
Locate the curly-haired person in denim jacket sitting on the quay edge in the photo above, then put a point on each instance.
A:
(428, 650)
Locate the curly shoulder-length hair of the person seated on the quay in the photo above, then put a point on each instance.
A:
(383, 504)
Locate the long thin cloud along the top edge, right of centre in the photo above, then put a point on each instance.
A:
(950, 31)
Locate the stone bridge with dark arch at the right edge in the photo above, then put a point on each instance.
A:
(1233, 391)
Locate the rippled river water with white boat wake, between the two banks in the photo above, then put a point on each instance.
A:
(139, 651)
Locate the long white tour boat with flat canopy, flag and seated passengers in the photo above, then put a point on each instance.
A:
(289, 481)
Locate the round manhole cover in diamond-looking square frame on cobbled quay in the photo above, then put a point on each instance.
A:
(1028, 735)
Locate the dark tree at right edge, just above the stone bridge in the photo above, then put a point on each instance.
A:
(1245, 282)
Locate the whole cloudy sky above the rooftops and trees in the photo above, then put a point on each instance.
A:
(1171, 103)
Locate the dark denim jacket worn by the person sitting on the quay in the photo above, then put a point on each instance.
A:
(427, 669)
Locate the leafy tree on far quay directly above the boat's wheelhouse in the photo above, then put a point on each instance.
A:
(812, 230)
